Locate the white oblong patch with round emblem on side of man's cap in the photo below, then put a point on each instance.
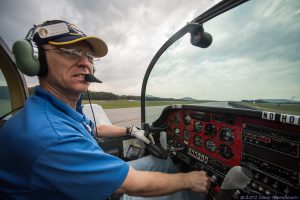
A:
(52, 30)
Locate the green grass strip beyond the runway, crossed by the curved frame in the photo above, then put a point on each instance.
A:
(111, 104)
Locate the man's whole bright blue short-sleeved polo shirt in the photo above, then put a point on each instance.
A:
(47, 151)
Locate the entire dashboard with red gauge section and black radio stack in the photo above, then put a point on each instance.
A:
(216, 139)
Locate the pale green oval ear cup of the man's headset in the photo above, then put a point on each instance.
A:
(26, 62)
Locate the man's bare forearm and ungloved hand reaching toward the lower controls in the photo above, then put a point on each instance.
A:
(143, 183)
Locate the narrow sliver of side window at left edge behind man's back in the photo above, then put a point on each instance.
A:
(5, 100)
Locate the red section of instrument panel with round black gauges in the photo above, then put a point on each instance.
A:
(215, 135)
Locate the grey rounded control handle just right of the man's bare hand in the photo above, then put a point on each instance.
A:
(236, 179)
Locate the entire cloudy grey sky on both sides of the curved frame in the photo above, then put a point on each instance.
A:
(254, 53)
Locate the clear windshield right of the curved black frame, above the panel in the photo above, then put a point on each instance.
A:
(253, 62)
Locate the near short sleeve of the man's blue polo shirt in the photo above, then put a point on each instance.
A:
(79, 169)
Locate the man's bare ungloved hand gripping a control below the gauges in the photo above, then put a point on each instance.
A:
(199, 181)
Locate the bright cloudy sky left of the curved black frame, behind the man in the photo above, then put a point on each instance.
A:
(133, 30)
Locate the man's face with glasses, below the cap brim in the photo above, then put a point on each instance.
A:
(66, 70)
